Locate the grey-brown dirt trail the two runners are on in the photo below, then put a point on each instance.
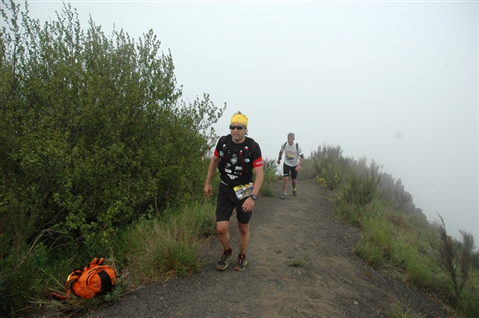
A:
(334, 282)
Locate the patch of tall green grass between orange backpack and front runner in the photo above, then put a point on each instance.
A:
(170, 244)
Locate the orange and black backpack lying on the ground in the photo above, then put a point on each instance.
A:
(94, 279)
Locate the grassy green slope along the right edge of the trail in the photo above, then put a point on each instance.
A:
(397, 236)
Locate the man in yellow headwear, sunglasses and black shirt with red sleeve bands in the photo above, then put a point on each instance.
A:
(236, 157)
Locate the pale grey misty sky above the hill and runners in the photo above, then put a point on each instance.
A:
(395, 82)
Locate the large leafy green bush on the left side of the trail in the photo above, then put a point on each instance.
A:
(94, 136)
